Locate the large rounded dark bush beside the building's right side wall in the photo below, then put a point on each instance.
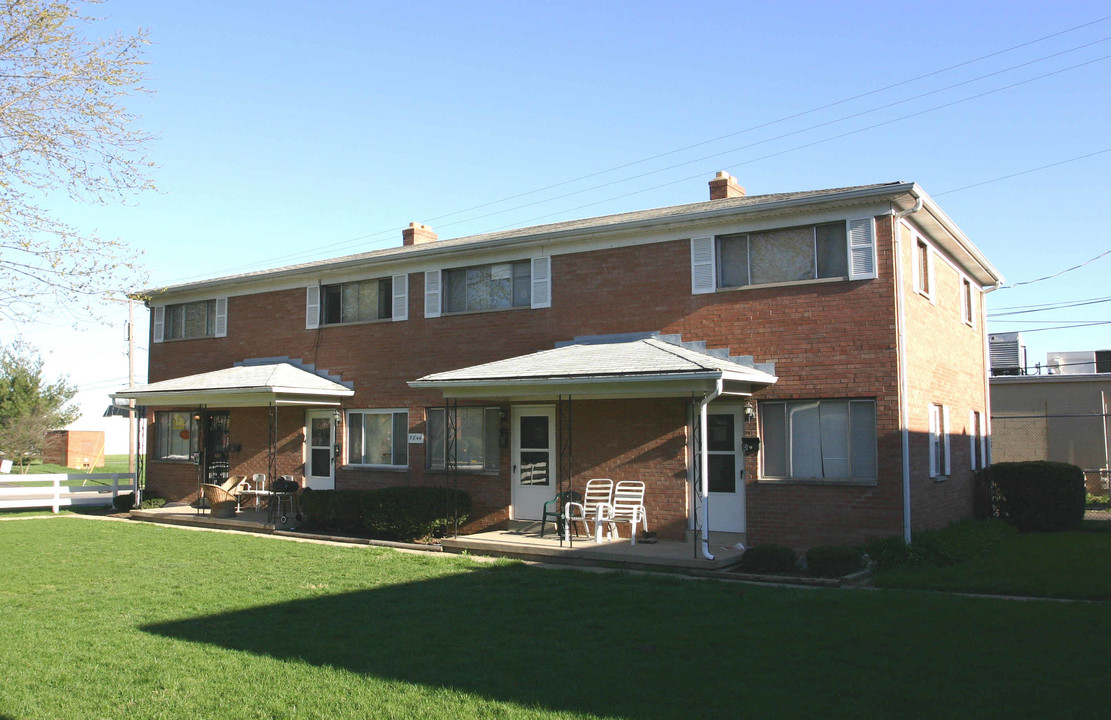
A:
(1038, 496)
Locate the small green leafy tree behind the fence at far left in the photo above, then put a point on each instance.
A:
(29, 406)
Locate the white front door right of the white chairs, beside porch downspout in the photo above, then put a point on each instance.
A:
(725, 428)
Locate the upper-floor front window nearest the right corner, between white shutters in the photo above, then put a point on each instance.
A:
(783, 256)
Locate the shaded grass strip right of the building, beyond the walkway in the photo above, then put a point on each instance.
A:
(1047, 565)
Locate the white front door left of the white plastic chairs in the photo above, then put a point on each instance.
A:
(534, 473)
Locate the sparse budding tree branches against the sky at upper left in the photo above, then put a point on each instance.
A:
(64, 132)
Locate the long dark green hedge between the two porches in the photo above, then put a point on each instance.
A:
(391, 514)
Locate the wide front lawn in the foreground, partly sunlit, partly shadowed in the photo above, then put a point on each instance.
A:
(109, 619)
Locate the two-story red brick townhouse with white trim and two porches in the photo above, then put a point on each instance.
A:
(814, 356)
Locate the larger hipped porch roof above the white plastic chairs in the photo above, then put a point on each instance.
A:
(636, 368)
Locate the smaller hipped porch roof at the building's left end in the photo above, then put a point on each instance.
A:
(246, 386)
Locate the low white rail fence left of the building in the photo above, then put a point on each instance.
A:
(58, 492)
